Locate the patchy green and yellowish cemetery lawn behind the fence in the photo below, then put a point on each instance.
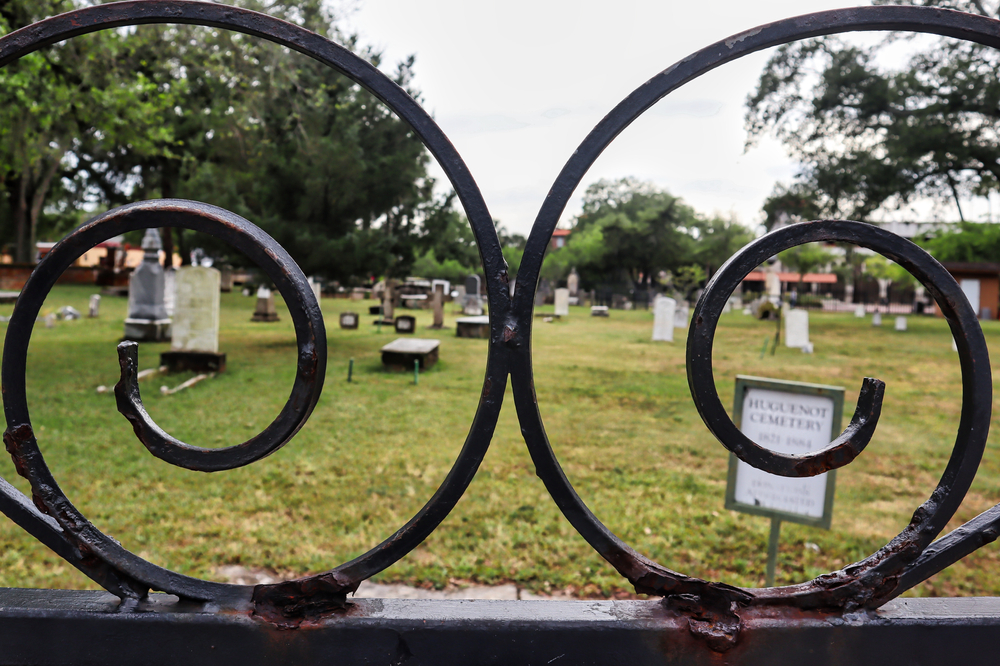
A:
(616, 407)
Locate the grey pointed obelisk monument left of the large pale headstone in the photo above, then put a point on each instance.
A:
(147, 316)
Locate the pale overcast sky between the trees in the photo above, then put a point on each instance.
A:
(517, 85)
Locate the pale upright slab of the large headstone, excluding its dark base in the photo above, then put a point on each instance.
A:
(196, 309)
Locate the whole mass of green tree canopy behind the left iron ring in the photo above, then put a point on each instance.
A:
(231, 120)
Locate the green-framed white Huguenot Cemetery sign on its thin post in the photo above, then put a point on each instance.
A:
(785, 417)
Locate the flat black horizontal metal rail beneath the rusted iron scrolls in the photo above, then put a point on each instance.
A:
(81, 627)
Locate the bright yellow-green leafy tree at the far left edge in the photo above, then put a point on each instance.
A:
(51, 101)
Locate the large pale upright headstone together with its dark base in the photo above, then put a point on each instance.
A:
(194, 342)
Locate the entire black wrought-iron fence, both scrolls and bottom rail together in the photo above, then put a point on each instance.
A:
(696, 621)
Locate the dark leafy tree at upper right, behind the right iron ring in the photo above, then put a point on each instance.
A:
(869, 138)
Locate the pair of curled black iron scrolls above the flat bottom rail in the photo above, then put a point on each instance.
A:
(714, 607)
